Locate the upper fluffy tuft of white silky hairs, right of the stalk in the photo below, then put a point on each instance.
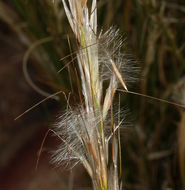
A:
(110, 46)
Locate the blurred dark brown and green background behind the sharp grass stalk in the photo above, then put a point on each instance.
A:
(34, 37)
